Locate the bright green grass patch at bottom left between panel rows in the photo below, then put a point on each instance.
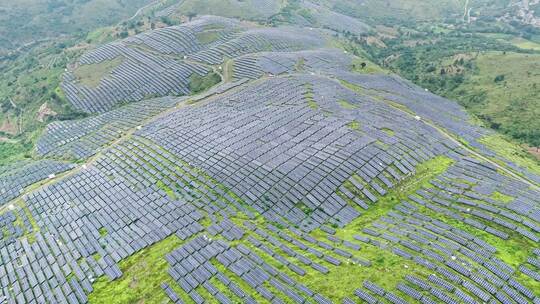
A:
(142, 275)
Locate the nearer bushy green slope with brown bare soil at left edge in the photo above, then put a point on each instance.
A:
(30, 97)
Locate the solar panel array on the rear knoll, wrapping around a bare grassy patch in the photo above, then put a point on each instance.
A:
(161, 62)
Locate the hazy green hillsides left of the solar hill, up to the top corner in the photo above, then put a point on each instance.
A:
(30, 94)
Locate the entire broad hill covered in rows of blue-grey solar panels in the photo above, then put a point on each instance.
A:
(294, 180)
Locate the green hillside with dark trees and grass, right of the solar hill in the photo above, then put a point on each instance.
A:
(494, 75)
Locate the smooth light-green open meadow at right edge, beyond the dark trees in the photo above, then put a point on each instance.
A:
(510, 106)
